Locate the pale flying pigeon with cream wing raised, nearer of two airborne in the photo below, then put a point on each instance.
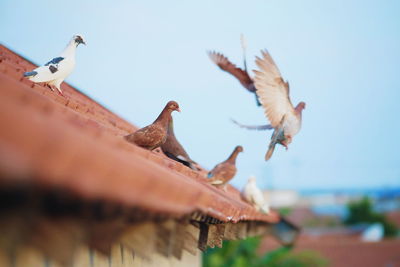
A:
(273, 93)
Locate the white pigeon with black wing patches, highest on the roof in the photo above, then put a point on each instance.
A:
(54, 72)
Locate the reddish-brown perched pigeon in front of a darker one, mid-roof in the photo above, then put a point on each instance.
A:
(155, 134)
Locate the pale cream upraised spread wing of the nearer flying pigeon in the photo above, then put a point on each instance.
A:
(272, 90)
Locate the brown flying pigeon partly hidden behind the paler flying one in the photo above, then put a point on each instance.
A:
(242, 75)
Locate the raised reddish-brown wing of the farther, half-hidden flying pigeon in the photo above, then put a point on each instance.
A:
(224, 64)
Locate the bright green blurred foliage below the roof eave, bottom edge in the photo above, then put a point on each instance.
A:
(243, 253)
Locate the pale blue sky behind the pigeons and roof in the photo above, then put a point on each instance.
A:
(341, 57)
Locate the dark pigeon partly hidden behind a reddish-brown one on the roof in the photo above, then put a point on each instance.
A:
(174, 150)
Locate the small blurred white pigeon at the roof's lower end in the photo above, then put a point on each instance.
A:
(252, 194)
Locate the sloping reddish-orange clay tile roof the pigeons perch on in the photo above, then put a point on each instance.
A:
(74, 143)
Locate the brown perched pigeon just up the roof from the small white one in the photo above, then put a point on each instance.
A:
(224, 171)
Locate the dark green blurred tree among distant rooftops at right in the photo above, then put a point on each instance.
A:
(362, 212)
